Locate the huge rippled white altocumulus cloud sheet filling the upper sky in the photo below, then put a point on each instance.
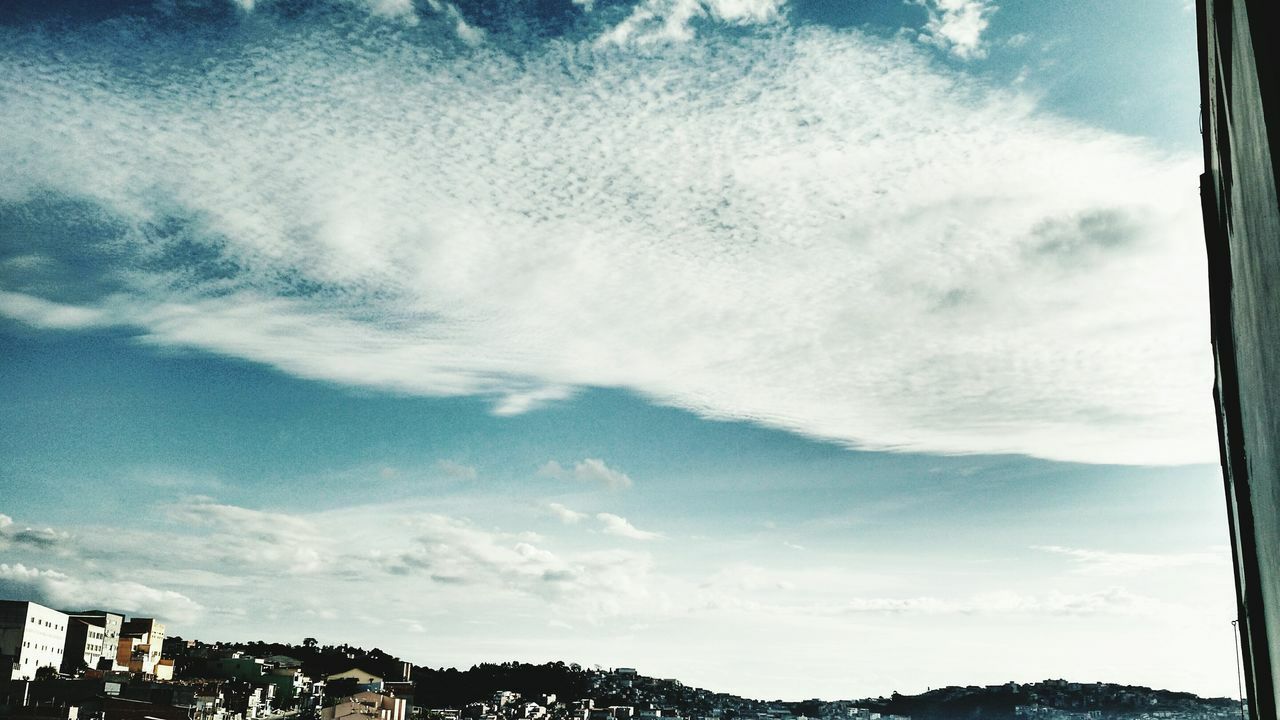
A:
(813, 230)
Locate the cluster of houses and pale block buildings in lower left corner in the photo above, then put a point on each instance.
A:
(100, 666)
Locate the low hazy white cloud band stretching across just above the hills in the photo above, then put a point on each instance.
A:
(474, 586)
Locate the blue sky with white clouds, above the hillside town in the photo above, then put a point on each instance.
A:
(788, 348)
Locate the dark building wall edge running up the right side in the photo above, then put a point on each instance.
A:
(1241, 121)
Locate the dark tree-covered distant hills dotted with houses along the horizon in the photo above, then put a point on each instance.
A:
(1048, 700)
